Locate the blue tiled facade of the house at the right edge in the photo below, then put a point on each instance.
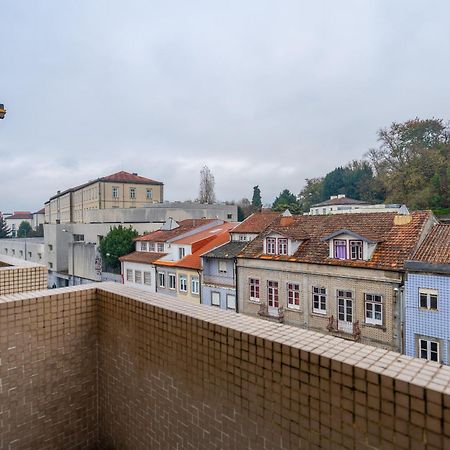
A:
(421, 322)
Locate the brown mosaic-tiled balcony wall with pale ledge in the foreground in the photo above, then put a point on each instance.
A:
(114, 368)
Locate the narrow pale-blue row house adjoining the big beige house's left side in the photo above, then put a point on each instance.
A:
(219, 264)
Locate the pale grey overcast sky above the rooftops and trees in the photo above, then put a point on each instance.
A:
(263, 92)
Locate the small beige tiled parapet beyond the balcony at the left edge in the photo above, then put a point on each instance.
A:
(21, 276)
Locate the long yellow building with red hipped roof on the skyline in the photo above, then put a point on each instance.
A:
(119, 190)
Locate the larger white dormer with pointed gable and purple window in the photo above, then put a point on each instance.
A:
(347, 245)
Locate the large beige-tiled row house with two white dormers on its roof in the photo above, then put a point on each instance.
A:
(341, 274)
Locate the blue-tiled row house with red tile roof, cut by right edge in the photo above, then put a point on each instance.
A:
(427, 298)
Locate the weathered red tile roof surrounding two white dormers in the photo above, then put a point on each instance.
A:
(396, 243)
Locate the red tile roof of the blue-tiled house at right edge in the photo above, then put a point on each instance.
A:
(435, 249)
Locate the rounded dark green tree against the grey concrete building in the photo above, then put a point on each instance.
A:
(118, 242)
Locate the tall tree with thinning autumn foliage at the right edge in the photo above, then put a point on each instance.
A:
(412, 162)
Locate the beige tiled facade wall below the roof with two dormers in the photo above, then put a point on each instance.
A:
(333, 278)
